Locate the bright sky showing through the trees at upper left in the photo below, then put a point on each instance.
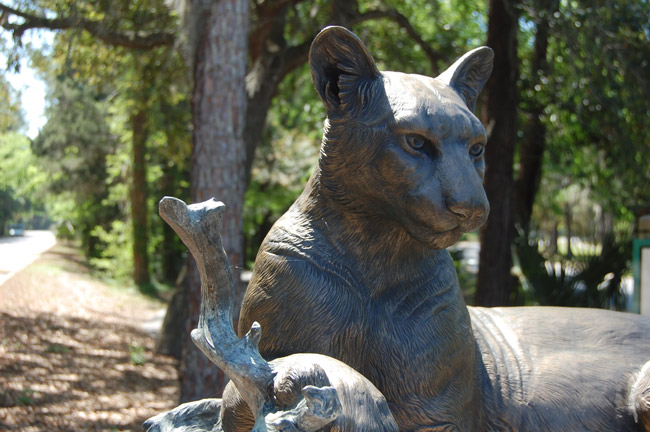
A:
(32, 89)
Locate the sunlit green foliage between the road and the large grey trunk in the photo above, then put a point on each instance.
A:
(96, 88)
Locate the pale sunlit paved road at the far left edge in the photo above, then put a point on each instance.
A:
(16, 253)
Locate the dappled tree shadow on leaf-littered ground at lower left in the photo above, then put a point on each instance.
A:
(60, 373)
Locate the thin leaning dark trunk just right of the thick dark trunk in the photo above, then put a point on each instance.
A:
(534, 140)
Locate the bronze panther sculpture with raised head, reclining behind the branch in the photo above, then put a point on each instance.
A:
(356, 269)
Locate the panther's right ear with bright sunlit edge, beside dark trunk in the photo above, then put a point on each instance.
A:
(468, 75)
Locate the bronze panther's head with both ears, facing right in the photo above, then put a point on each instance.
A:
(402, 147)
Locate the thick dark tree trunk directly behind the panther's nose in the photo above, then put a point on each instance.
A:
(495, 283)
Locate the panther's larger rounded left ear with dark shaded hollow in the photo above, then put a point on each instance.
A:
(340, 63)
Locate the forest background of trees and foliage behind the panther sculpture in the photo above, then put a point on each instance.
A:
(196, 99)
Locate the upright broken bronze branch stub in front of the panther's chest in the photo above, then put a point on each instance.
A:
(198, 226)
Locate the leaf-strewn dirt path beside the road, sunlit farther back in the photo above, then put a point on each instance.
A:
(73, 355)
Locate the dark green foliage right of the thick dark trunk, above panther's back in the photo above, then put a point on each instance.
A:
(595, 103)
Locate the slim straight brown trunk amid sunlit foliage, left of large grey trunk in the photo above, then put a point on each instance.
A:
(139, 211)
